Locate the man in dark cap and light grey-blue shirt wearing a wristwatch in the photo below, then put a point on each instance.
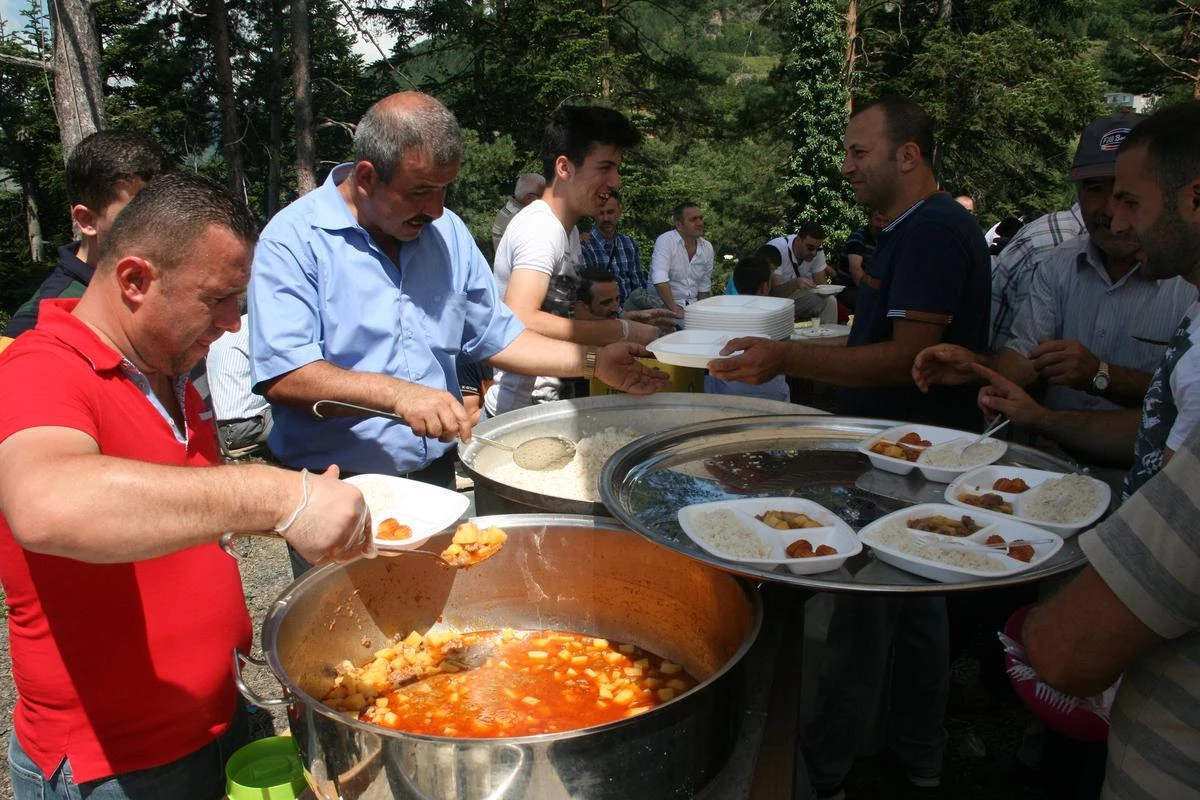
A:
(1095, 326)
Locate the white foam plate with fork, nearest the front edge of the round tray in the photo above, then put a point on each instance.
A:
(947, 573)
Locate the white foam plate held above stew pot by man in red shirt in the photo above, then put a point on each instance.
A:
(427, 510)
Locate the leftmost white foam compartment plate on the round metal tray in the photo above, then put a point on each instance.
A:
(835, 533)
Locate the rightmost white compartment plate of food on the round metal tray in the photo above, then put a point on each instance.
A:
(980, 483)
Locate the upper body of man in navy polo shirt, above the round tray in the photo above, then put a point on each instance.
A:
(928, 282)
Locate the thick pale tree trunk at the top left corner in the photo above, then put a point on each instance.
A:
(79, 89)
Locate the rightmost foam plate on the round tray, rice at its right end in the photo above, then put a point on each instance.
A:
(1064, 504)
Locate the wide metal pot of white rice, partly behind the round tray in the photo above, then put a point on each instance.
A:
(577, 419)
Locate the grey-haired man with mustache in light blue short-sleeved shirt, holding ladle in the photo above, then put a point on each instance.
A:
(367, 291)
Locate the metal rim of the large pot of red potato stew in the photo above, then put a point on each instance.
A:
(275, 613)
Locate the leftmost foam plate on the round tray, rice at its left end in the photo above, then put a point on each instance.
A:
(730, 531)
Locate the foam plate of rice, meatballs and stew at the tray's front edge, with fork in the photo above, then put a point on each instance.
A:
(952, 560)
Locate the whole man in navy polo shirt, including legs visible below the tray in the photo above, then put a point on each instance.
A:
(928, 282)
